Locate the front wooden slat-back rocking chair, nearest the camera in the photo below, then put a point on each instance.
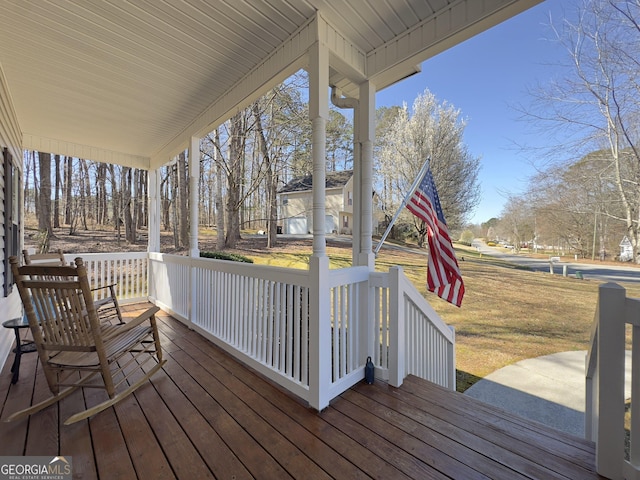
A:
(75, 349)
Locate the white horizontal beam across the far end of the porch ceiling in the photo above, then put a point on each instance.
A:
(61, 147)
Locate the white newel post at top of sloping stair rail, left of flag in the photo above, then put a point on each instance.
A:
(396, 329)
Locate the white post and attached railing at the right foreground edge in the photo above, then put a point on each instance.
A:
(605, 383)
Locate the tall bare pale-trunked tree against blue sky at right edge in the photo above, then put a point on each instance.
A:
(595, 107)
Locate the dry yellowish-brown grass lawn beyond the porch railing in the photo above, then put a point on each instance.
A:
(508, 313)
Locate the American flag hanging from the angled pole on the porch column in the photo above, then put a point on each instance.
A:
(443, 273)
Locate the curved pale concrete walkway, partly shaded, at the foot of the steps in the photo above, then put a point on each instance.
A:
(549, 389)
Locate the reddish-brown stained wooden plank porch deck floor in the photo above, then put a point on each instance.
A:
(207, 416)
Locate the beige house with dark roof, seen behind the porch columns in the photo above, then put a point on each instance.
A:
(295, 200)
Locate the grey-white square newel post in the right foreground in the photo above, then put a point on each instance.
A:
(608, 403)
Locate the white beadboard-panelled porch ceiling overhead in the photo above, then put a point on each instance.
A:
(127, 81)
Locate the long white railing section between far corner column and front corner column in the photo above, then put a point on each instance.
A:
(258, 314)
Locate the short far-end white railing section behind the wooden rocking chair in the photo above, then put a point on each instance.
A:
(128, 271)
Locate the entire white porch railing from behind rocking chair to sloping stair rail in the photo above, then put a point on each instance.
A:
(310, 331)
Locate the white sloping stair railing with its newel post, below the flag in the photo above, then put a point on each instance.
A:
(411, 336)
